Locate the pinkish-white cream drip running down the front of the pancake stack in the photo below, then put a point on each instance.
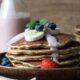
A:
(53, 43)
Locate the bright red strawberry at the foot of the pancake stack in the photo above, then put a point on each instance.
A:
(48, 63)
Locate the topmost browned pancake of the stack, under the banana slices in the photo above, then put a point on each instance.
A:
(63, 39)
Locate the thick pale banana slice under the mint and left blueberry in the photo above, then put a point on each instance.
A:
(33, 35)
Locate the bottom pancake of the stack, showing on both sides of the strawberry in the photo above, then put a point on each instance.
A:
(36, 64)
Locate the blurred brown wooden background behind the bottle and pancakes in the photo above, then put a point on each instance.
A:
(65, 13)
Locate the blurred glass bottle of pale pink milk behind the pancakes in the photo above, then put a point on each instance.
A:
(11, 23)
